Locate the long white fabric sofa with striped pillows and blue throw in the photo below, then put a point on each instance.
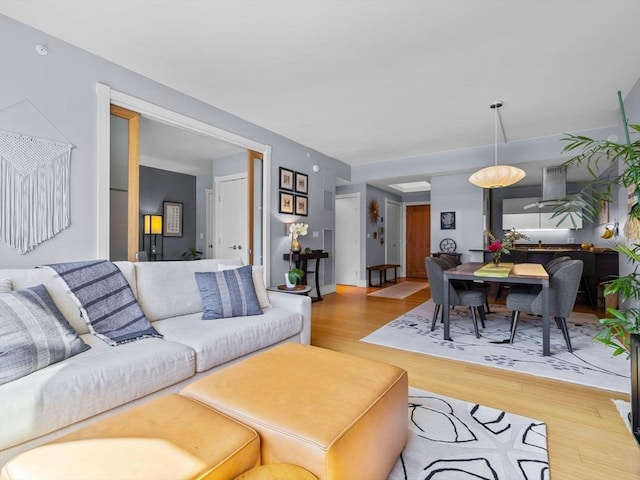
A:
(104, 379)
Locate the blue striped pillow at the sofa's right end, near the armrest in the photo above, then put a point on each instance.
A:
(228, 294)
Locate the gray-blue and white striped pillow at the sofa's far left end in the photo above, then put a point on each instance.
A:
(34, 333)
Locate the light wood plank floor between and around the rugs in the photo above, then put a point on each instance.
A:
(587, 437)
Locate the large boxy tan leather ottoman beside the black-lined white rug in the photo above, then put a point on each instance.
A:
(340, 417)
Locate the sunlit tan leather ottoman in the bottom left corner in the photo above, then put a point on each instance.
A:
(169, 437)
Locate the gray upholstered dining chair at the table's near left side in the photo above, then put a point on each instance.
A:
(474, 299)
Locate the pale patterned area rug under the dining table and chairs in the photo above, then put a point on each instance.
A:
(591, 363)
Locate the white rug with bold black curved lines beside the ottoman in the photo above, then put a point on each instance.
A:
(451, 439)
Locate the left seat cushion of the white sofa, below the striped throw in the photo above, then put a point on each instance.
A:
(80, 387)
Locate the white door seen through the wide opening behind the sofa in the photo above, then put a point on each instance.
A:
(231, 235)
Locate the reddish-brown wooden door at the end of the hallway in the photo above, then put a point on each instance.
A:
(418, 239)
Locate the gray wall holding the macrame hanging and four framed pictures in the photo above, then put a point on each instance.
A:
(62, 86)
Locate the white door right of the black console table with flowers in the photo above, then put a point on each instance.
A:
(347, 250)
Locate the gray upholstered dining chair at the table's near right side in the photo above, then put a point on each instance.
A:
(563, 288)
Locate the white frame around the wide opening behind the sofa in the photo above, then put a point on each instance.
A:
(106, 96)
